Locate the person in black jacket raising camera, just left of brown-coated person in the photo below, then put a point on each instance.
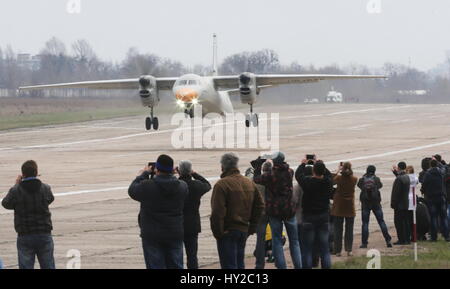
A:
(317, 191)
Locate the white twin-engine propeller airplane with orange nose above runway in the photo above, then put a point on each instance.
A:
(212, 92)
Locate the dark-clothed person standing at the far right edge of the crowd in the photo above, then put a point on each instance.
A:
(433, 187)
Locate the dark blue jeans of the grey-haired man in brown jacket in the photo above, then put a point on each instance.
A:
(231, 248)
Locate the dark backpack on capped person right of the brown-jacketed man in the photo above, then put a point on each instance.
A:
(280, 200)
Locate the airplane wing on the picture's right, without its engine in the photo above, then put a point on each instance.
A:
(278, 79)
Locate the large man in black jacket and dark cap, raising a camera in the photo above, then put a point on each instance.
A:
(161, 215)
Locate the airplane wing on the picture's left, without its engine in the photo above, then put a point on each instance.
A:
(163, 83)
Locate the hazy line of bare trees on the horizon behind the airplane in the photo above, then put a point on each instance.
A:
(79, 62)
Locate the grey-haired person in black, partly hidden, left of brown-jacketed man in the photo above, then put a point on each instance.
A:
(197, 186)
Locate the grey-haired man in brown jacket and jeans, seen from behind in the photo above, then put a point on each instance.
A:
(236, 206)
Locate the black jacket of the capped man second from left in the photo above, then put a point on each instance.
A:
(162, 202)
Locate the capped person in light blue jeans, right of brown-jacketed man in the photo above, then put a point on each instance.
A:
(281, 207)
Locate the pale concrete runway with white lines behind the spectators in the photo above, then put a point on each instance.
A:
(90, 165)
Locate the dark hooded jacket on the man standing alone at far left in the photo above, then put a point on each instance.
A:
(30, 201)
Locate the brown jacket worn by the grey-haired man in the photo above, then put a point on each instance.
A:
(236, 204)
